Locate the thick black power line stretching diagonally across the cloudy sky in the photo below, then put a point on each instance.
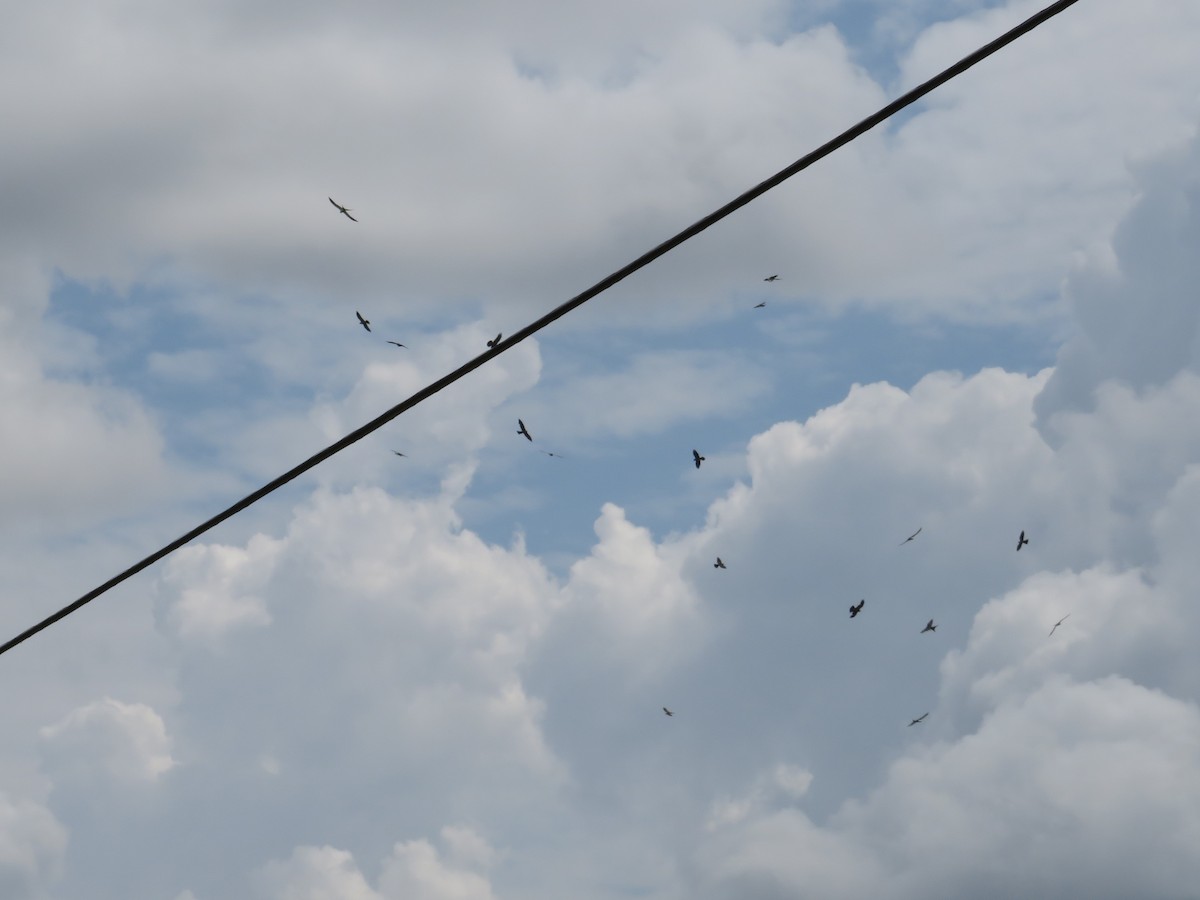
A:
(559, 313)
